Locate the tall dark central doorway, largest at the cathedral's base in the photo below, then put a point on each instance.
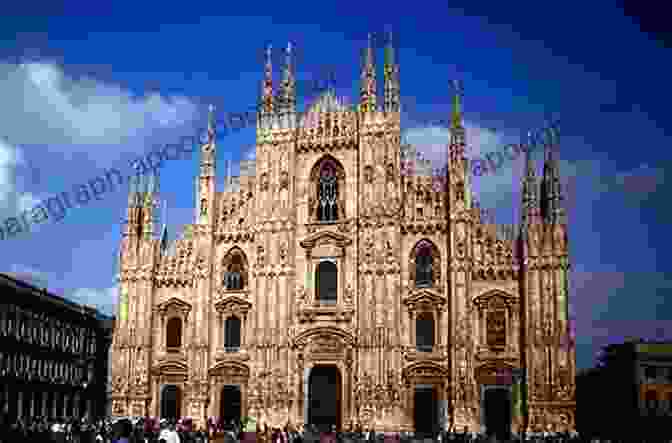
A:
(324, 398)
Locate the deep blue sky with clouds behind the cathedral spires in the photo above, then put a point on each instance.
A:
(88, 86)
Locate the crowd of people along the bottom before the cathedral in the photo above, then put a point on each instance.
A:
(149, 430)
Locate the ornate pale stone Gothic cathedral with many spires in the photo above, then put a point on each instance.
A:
(325, 286)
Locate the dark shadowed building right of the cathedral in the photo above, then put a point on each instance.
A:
(636, 378)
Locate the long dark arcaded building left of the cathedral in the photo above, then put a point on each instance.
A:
(53, 354)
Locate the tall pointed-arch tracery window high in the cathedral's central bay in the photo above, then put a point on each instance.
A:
(327, 188)
